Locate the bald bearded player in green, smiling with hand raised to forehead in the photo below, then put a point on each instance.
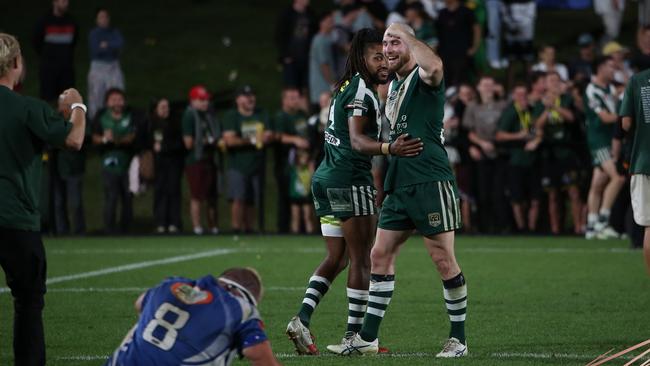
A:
(421, 192)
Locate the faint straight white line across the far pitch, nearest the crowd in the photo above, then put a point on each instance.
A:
(260, 250)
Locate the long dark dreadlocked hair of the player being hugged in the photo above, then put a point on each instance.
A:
(356, 63)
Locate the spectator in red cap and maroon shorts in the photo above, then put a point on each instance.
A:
(201, 134)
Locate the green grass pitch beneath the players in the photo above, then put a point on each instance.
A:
(532, 300)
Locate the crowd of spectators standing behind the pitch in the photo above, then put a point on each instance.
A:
(518, 144)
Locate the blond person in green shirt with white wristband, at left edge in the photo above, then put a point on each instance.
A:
(26, 126)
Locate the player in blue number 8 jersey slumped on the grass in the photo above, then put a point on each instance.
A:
(208, 321)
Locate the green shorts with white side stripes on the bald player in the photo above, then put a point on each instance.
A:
(430, 208)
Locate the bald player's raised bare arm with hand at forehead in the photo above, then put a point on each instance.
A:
(430, 64)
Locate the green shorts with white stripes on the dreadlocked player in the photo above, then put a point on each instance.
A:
(331, 199)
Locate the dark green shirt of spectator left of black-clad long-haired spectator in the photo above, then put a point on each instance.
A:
(116, 159)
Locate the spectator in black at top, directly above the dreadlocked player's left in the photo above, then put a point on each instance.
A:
(295, 28)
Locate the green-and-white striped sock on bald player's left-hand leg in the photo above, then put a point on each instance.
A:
(380, 293)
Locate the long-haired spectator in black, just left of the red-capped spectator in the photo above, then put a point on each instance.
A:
(169, 153)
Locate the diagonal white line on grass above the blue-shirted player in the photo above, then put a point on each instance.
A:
(135, 266)
